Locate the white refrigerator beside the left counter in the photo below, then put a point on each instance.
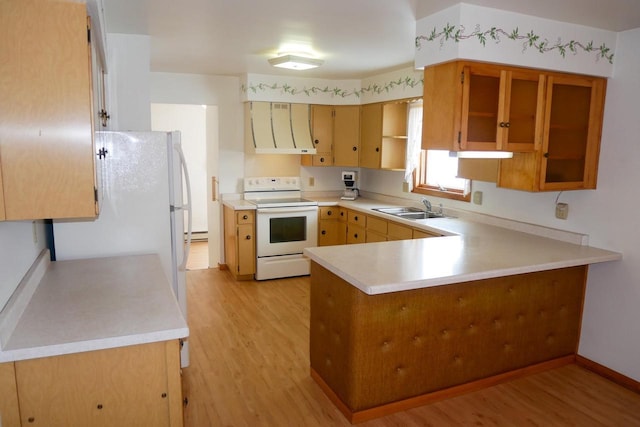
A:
(144, 196)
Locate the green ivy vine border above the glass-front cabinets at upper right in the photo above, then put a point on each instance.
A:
(529, 40)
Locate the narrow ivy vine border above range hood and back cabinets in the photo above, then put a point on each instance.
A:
(284, 88)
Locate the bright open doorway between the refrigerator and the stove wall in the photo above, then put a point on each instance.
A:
(198, 125)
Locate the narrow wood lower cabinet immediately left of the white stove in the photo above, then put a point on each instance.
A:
(240, 242)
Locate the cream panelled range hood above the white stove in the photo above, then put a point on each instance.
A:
(278, 128)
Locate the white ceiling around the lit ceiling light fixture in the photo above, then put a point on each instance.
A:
(355, 38)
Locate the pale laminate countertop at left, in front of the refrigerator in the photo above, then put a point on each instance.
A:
(94, 304)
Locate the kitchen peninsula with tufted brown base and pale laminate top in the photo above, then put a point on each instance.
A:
(398, 324)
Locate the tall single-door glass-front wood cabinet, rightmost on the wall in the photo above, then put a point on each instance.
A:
(568, 158)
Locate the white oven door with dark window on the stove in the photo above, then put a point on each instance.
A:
(287, 230)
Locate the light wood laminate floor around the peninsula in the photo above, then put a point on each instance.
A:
(250, 367)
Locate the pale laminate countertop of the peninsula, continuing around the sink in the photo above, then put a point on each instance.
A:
(468, 251)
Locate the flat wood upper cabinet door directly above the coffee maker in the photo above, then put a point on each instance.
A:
(346, 135)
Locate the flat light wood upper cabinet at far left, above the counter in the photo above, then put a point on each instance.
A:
(46, 138)
